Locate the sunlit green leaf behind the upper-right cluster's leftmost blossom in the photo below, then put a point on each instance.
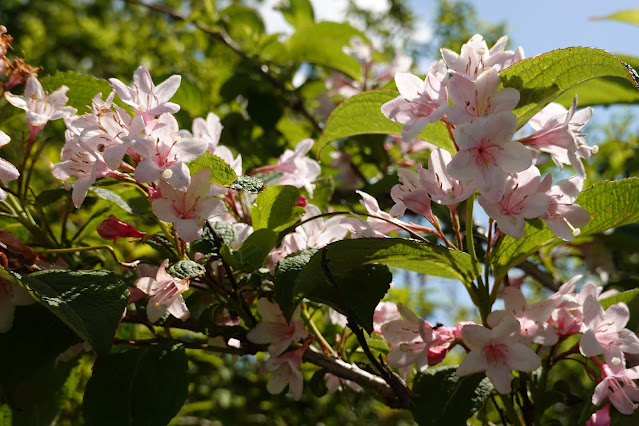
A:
(362, 115)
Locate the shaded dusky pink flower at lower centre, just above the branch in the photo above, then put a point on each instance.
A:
(274, 329)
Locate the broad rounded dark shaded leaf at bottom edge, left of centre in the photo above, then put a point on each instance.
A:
(142, 386)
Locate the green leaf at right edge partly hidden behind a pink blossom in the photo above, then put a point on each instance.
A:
(610, 204)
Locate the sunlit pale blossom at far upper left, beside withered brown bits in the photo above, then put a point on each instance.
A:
(40, 106)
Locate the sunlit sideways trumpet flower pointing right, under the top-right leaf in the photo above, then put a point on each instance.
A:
(558, 132)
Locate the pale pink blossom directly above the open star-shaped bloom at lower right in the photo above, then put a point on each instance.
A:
(532, 318)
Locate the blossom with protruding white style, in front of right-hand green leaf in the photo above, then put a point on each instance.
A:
(564, 217)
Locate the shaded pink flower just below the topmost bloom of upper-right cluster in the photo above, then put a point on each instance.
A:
(479, 98)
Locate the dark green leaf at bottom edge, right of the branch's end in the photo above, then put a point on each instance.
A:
(447, 399)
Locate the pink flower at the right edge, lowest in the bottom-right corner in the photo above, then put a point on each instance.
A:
(619, 388)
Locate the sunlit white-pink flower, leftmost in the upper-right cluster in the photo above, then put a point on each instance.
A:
(420, 102)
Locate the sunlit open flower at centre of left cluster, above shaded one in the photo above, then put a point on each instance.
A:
(166, 153)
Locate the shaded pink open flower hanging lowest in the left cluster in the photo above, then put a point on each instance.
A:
(188, 211)
